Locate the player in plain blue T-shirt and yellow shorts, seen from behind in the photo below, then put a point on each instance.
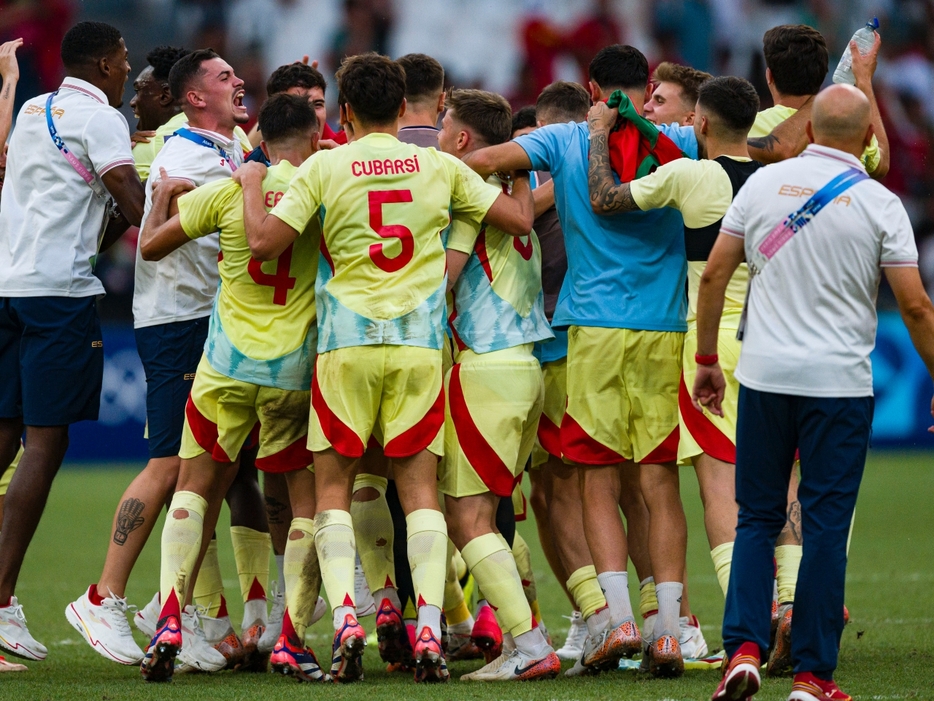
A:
(622, 358)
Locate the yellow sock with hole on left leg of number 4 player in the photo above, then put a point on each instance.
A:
(181, 543)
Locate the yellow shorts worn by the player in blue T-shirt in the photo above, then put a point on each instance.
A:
(622, 396)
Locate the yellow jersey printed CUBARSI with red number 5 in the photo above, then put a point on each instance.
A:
(385, 208)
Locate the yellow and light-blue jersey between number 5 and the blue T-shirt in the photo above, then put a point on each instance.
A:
(498, 298)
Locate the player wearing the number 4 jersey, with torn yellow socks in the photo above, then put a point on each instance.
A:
(247, 375)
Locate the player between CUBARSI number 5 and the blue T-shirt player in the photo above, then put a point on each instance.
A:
(494, 390)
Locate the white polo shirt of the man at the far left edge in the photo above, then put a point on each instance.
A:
(51, 220)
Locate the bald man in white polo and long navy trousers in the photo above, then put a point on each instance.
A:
(805, 376)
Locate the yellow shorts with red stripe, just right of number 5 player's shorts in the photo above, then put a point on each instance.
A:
(494, 401)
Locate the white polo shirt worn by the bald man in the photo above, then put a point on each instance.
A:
(811, 320)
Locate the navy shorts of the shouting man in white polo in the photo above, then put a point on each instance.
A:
(170, 355)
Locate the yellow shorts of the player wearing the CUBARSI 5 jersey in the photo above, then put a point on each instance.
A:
(396, 390)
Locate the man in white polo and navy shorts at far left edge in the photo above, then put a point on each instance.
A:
(69, 154)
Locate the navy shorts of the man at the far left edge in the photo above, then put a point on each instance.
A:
(51, 360)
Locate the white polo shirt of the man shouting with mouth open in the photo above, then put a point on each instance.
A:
(181, 286)
